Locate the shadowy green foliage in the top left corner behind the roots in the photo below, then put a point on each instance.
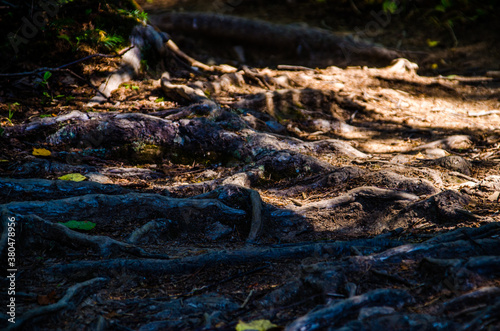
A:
(78, 25)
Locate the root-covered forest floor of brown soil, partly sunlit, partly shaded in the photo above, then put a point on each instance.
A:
(310, 188)
